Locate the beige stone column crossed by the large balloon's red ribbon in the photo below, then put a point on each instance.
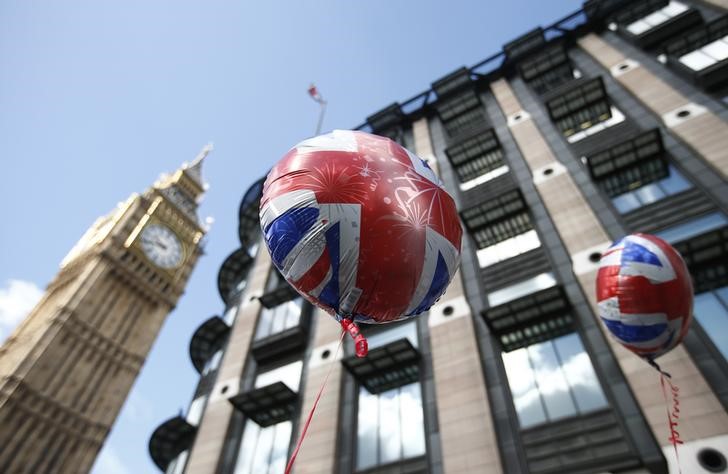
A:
(318, 452)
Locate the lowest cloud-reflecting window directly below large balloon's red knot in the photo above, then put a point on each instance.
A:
(390, 426)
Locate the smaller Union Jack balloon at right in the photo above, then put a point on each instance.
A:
(644, 295)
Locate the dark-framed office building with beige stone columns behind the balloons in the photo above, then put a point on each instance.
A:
(610, 121)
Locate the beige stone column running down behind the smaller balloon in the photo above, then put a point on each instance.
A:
(582, 235)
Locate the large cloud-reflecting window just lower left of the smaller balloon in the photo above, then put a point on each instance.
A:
(552, 380)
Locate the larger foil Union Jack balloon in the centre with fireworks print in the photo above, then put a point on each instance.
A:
(360, 227)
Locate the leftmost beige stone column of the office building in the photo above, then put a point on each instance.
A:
(211, 432)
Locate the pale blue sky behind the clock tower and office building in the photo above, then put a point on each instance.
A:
(98, 98)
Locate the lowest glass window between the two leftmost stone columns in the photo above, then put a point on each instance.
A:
(264, 450)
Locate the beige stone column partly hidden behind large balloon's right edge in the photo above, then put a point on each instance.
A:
(466, 431)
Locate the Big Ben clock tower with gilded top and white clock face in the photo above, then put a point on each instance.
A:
(67, 369)
